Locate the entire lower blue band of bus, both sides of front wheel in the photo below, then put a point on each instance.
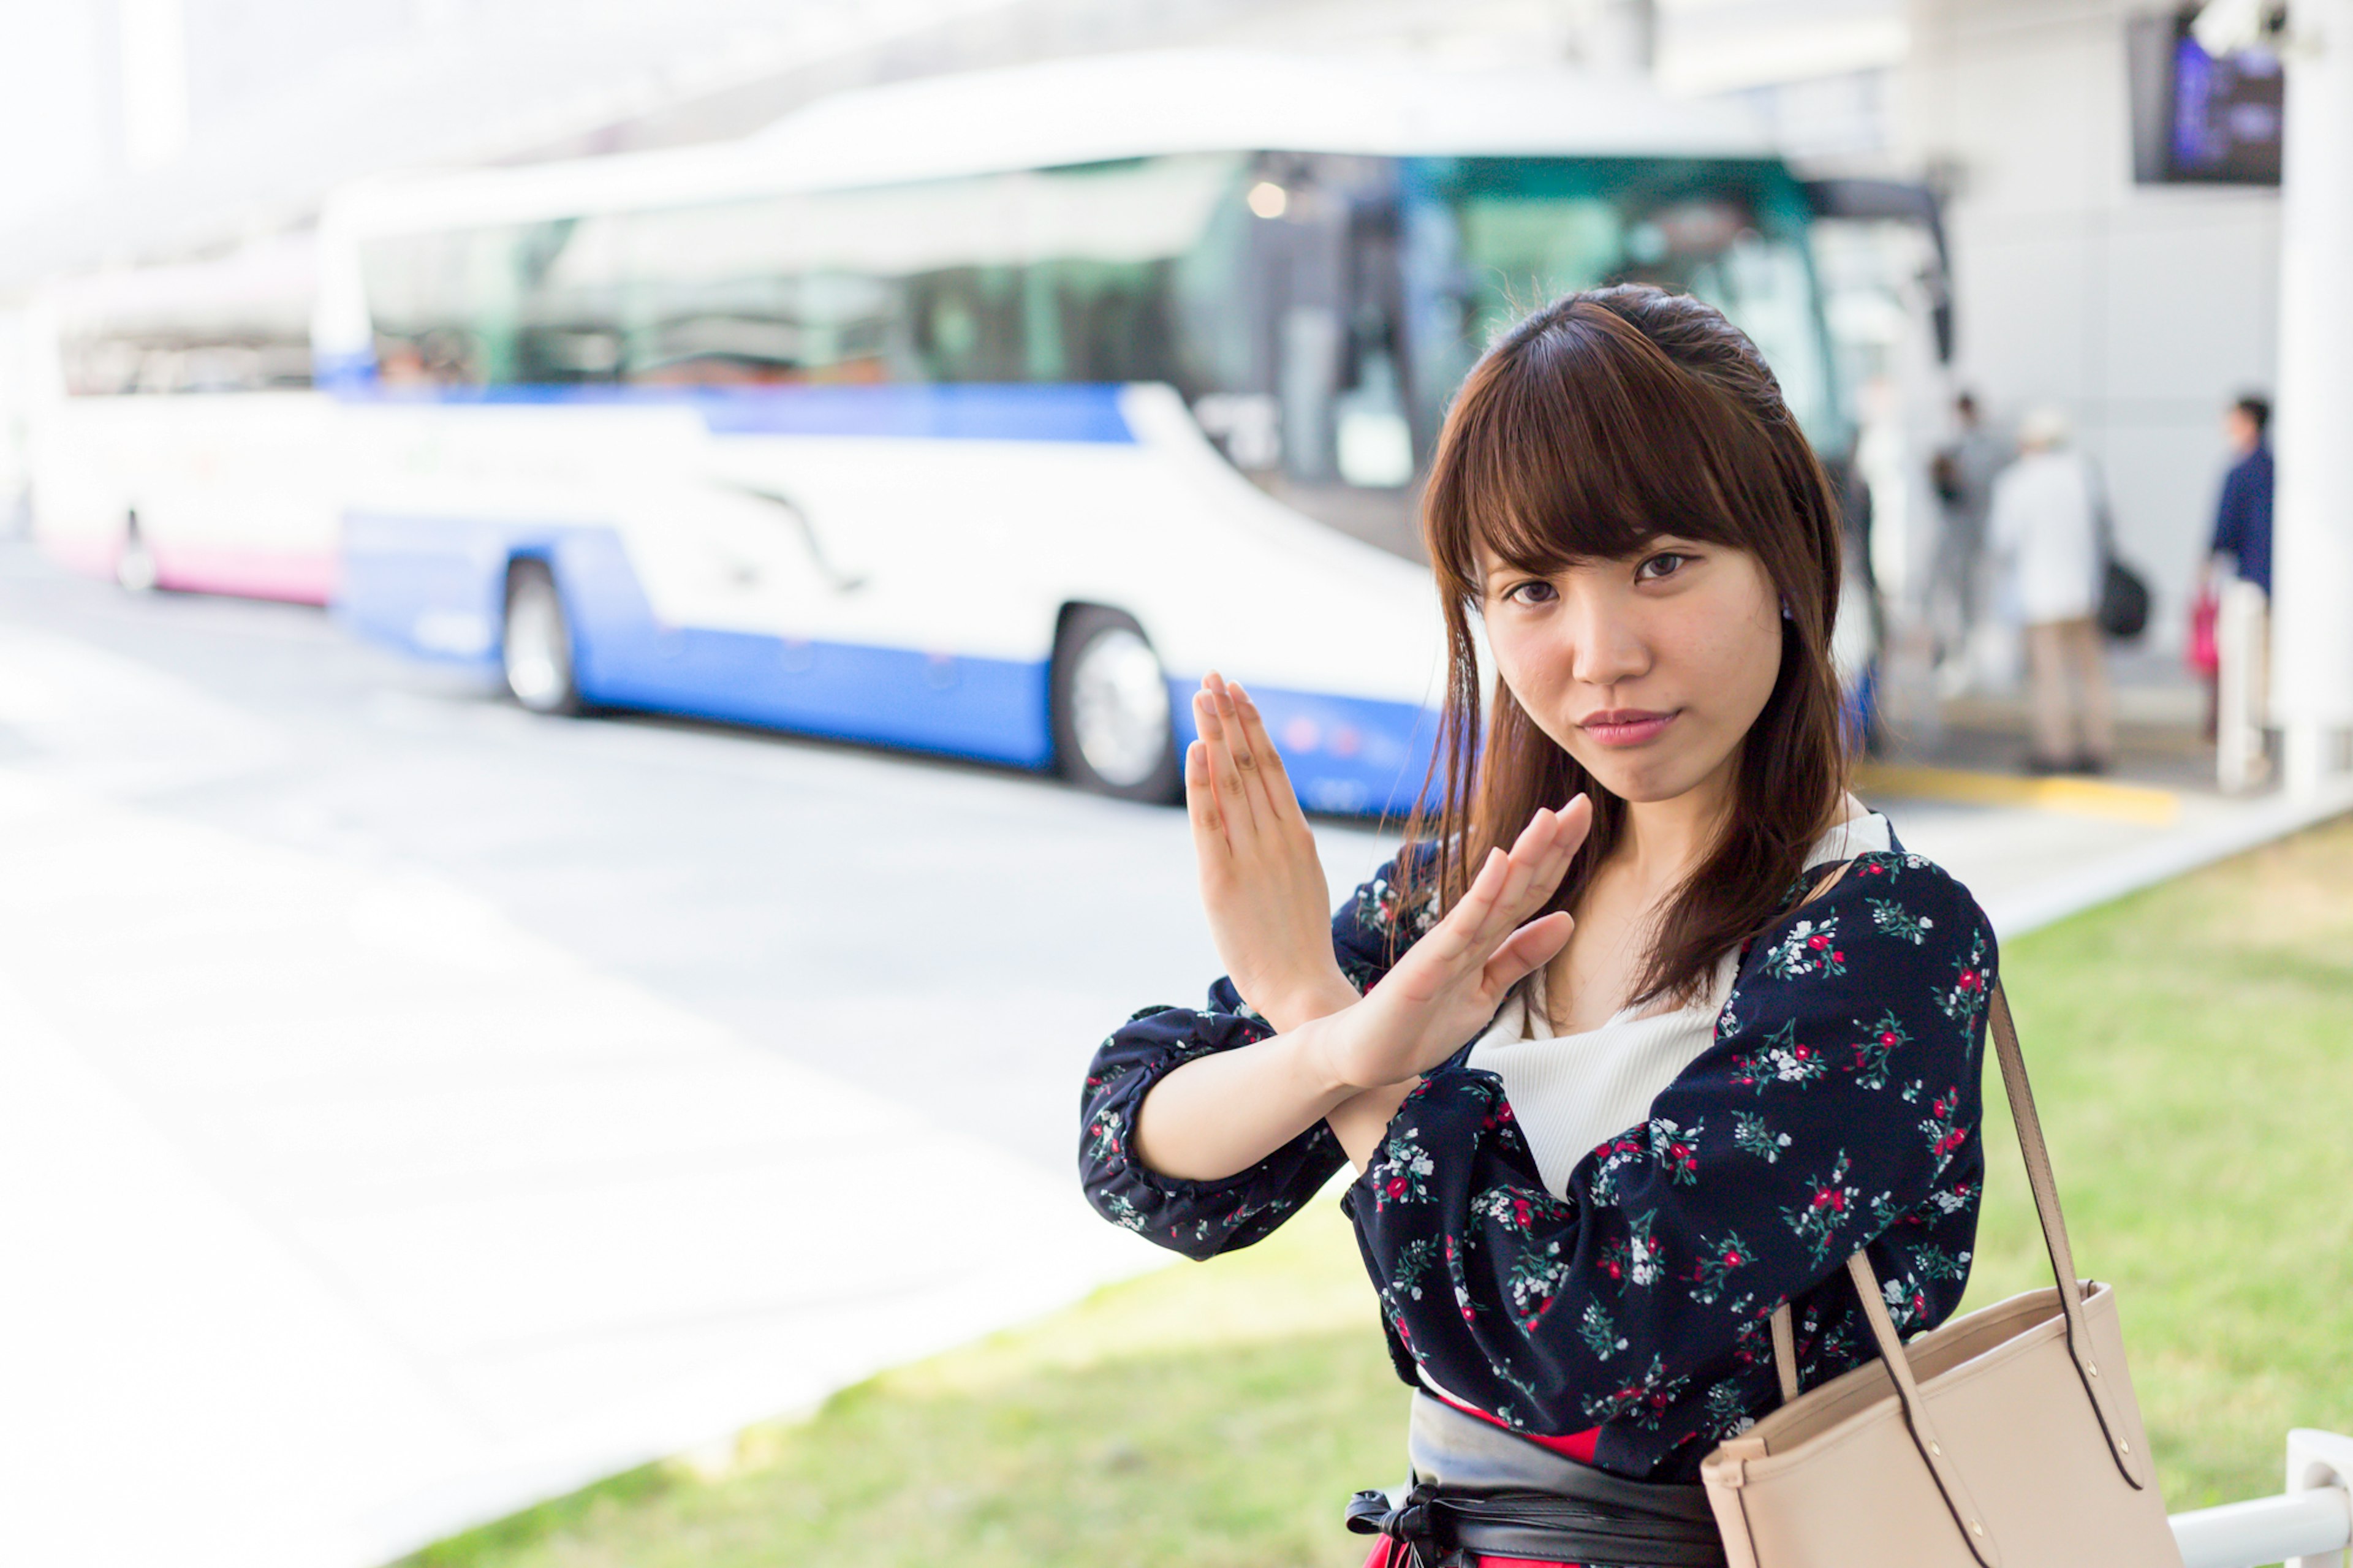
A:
(436, 587)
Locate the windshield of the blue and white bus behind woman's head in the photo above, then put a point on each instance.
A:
(1491, 239)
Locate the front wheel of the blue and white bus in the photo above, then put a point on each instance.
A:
(1112, 710)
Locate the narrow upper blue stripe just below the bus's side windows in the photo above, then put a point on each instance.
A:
(1086, 413)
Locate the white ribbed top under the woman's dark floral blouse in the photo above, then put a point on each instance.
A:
(1573, 1091)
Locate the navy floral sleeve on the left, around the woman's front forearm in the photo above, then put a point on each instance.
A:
(1208, 1218)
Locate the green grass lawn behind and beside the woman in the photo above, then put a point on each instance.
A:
(2194, 1061)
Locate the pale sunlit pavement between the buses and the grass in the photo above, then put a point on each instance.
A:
(418, 1110)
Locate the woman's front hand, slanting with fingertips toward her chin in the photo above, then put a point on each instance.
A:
(1448, 985)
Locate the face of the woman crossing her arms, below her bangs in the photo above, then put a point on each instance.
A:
(1646, 670)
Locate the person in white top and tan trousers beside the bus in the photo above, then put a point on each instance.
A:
(2044, 526)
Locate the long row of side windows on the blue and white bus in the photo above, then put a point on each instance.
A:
(1069, 274)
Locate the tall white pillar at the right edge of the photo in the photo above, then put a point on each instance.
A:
(2314, 430)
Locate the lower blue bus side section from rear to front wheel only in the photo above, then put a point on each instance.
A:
(436, 587)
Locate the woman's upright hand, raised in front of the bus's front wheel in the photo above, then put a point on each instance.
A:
(1260, 877)
